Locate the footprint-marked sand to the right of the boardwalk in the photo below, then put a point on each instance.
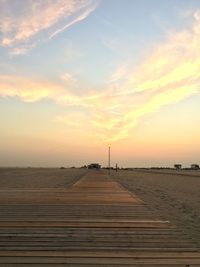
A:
(175, 195)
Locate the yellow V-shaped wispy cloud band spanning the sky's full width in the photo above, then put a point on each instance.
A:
(168, 75)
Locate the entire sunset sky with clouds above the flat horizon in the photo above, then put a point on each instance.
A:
(78, 76)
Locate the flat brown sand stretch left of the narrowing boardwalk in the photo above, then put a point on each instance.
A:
(38, 178)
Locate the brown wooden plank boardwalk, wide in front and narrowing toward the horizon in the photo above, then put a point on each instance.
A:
(95, 222)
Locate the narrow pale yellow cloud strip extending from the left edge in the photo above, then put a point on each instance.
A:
(30, 89)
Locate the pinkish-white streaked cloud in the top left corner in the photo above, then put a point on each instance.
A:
(24, 23)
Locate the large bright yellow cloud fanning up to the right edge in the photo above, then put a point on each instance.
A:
(168, 75)
